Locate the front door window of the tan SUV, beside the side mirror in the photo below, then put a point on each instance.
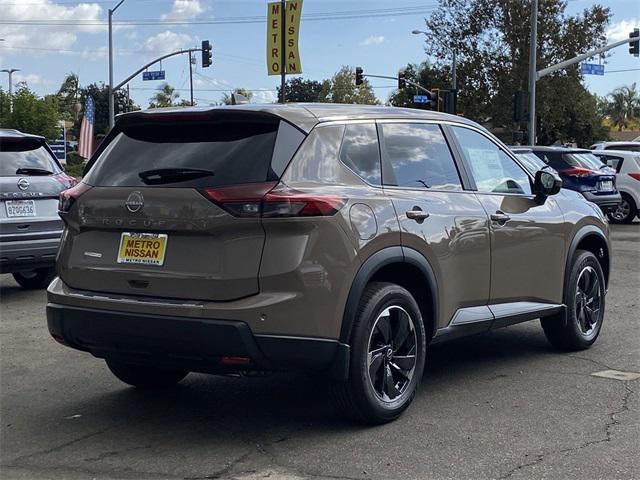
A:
(492, 169)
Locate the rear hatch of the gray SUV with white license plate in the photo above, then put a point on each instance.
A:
(30, 182)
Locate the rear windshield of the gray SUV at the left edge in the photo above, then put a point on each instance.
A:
(17, 157)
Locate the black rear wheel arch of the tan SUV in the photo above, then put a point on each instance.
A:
(400, 265)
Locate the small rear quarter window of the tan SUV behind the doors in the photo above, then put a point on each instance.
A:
(360, 151)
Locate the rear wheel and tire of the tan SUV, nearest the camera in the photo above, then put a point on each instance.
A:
(387, 313)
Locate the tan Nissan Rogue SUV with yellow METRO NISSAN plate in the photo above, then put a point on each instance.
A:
(336, 239)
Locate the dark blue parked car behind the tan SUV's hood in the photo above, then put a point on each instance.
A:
(581, 171)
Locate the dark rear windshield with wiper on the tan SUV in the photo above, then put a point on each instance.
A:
(196, 154)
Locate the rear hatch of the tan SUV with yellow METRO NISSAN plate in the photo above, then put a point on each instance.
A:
(145, 221)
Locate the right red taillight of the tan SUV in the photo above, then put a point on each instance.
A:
(263, 200)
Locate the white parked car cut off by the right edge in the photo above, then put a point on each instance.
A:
(627, 167)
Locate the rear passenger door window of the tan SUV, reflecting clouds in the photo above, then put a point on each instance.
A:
(419, 157)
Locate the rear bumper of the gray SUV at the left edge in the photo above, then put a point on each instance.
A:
(21, 255)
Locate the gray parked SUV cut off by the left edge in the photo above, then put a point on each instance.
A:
(31, 180)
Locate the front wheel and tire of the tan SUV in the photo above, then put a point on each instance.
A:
(581, 328)
